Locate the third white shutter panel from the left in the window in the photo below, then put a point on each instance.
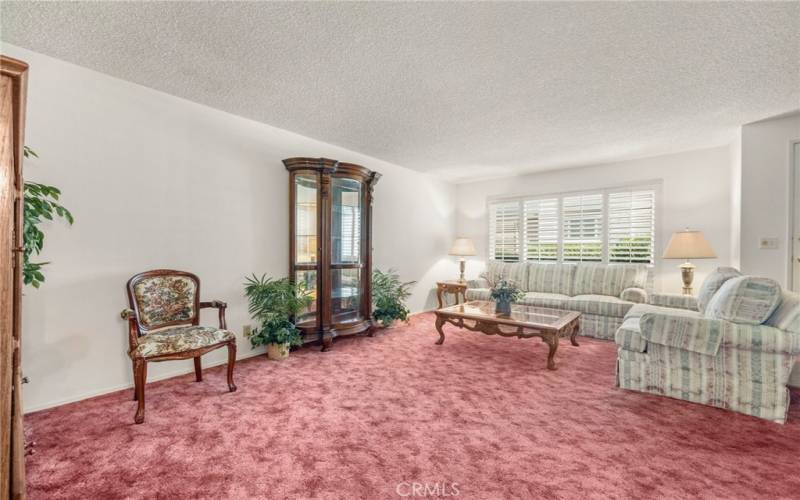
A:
(582, 228)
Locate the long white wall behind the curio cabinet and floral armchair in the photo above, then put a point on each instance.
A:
(156, 181)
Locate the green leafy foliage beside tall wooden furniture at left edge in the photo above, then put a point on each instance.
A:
(41, 203)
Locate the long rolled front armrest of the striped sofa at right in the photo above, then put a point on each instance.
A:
(706, 336)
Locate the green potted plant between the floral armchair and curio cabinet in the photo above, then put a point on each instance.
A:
(274, 303)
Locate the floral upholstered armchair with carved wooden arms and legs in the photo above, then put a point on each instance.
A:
(163, 324)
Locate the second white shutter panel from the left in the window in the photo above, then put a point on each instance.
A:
(541, 229)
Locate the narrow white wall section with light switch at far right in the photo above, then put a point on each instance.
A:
(767, 195)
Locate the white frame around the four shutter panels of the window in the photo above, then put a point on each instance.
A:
(652, 185)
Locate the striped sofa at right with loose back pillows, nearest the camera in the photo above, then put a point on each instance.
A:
(733, 347)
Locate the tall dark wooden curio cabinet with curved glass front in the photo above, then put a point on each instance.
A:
(330, 245)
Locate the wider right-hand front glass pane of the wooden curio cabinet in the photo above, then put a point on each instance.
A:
(346, 251)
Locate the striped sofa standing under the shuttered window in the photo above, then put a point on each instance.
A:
(602, 293)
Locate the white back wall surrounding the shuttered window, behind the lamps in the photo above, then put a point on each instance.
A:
(695, 192)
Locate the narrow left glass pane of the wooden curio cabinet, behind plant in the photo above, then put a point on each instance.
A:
(305, 240)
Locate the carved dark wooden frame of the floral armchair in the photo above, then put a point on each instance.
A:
(137, 329)
